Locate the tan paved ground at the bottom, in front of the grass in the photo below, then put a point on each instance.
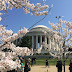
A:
(44, 69)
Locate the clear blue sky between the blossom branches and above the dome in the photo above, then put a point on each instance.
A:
(19, 20)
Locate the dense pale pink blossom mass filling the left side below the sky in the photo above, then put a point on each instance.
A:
(6, 58)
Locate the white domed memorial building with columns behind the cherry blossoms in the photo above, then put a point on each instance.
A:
(40, 34)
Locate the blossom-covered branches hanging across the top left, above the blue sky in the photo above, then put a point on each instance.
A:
(33, 9)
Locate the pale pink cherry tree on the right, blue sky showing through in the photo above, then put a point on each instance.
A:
(63, 34)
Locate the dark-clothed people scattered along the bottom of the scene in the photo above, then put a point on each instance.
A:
(31, 61)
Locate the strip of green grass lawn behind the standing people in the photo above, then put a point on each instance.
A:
(41, 61)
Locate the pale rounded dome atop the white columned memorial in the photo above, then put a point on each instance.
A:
(39, 30)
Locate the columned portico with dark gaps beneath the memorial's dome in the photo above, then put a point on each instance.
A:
(38, 39)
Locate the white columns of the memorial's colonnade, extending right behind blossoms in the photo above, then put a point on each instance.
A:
(45, 40)
